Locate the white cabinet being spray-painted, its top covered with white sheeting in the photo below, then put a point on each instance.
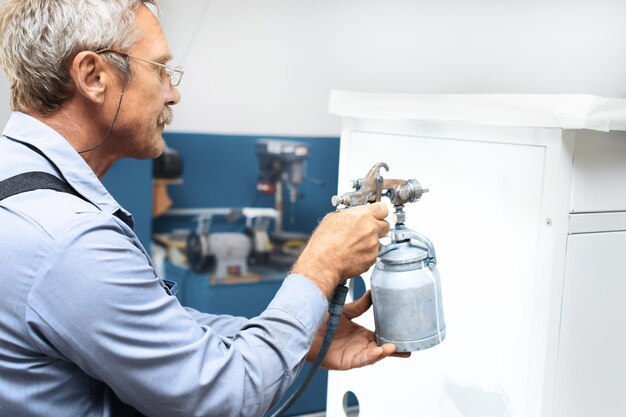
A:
(516, 280)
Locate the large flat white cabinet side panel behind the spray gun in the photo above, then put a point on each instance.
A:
(483, 214)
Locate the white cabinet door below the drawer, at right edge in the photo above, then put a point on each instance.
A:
(592, 363)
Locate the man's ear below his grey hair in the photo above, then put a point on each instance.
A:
(90, 76)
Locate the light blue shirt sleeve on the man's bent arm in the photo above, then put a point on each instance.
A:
(98, 303)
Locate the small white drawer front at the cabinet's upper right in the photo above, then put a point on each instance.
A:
(599, 182)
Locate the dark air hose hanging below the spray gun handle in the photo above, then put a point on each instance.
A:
(335, 309)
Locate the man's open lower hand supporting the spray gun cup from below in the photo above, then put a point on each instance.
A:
(354, 346)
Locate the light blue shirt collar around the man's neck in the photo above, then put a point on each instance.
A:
(30, 131)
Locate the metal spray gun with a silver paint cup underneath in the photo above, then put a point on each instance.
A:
(405, 283)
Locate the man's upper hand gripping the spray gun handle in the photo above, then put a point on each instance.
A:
(344, 245)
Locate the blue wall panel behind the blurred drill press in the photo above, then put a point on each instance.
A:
(221, 171)
